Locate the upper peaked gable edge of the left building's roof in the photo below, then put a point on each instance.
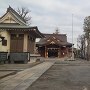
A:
(15, 15)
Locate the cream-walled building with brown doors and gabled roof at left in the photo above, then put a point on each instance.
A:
(18, 36)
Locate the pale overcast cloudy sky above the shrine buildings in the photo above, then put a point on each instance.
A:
(49, 15)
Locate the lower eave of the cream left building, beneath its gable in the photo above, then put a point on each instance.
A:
(33, 30)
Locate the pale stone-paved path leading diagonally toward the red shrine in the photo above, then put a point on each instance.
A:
(22, 80)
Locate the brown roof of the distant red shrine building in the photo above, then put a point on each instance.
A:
(58, 39)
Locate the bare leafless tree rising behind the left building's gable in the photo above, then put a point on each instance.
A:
(24, 13)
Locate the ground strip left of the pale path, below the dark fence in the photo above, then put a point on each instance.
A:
(11, 69)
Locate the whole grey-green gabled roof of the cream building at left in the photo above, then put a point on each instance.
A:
(20, 25)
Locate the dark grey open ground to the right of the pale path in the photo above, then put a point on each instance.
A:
(65, 75)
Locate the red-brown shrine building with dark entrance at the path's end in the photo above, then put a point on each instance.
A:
(54, 45)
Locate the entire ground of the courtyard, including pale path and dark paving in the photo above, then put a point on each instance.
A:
(63, 75)
